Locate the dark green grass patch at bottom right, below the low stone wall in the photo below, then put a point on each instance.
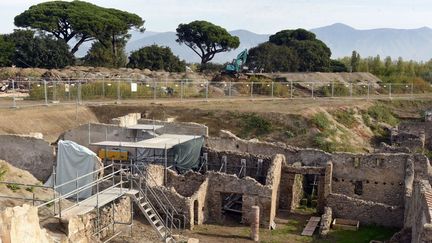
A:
(364, 235)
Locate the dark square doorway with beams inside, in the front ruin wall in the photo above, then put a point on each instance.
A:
(232, 207)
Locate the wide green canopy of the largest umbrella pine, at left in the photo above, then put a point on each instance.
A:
(79, 20)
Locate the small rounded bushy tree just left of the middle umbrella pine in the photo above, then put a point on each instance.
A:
(156, 58)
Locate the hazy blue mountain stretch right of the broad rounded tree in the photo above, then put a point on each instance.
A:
(415, 44)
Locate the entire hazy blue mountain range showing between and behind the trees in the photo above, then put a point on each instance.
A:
(410, 44)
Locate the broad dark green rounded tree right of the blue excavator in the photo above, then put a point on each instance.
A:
(302, 51)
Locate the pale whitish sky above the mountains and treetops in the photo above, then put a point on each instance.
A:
(259, 16)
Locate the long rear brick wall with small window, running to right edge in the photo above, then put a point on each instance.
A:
(371, 188)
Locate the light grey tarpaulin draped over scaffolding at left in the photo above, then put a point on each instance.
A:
(72, 160)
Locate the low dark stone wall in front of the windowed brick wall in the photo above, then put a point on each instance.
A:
(367, 212)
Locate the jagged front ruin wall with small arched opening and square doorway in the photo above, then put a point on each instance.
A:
(194, 193)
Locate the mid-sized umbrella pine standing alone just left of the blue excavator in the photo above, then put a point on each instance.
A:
(206, 39)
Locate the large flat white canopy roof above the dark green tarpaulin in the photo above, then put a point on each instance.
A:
(165, 141)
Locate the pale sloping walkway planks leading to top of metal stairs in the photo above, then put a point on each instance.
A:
(94, 201)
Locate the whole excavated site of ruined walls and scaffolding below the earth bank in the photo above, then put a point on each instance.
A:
(133, 178)
